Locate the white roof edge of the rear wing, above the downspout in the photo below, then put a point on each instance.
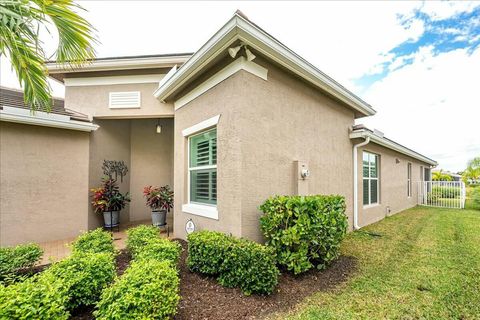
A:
(360, 131)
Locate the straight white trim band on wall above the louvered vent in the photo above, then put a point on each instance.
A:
(112, 80)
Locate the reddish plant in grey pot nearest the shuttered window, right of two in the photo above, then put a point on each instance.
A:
(160, 201)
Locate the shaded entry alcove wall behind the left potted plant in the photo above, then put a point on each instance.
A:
(111, 141)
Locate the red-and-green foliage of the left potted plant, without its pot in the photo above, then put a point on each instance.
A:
(108, 197)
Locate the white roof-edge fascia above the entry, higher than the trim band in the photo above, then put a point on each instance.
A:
(120, 64)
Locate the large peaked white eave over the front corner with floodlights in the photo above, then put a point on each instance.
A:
(239, 28)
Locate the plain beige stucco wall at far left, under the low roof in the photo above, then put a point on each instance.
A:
(44, 183)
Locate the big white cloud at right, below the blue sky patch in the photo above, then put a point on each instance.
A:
(432, 106)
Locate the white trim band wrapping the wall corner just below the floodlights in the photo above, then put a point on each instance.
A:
(240, 63)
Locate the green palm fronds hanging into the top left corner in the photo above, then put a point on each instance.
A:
(20, 22)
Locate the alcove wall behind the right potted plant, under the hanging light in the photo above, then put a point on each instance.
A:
(151, 161)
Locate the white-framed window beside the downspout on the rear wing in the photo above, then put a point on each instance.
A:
(370, 178)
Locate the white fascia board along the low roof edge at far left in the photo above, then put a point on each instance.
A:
(39, 118)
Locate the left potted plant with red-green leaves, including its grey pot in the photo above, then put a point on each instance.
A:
(108, 200)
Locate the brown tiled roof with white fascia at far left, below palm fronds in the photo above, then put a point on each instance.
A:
(14, 109)
